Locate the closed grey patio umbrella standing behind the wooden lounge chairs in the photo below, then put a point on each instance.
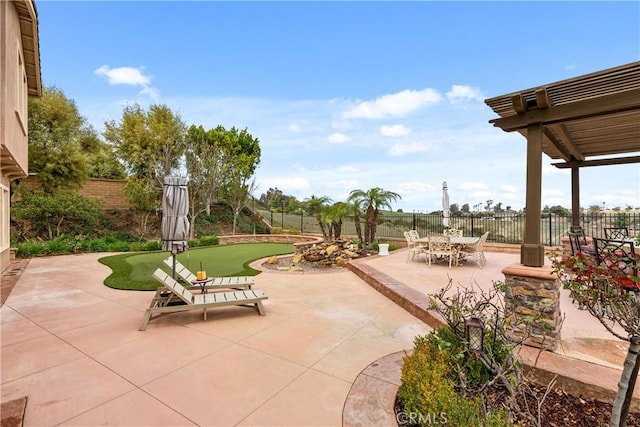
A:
(175, 207)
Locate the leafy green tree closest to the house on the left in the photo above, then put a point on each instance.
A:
(55, 132)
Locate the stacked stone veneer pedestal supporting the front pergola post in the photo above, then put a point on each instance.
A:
(535, 292)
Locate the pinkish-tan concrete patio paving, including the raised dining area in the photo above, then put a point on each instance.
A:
(72, 346)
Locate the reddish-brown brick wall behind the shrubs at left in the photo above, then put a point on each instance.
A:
(110, 191)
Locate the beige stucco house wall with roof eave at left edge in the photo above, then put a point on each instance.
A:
(19, 79)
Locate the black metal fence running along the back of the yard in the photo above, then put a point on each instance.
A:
(507, 228)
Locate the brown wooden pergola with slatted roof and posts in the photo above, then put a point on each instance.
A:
(590, 120)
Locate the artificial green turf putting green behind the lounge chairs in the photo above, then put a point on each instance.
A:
(134, 271)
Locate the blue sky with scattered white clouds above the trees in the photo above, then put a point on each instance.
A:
(349, 95)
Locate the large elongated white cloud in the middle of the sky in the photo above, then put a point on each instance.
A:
(394, 105)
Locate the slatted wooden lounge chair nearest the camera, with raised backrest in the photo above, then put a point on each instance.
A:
(172, 297)
